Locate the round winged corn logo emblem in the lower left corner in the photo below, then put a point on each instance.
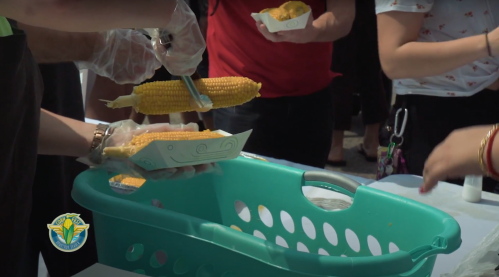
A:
(68, 232)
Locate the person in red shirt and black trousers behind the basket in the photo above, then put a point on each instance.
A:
(292, 119)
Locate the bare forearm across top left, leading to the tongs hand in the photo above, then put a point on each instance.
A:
(90, 15)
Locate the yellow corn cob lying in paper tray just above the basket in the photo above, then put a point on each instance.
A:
(141, 141)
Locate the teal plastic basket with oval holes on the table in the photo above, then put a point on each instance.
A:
(192, 235)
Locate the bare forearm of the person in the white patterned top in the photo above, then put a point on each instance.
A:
(423, 59)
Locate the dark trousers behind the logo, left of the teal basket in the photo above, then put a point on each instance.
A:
(54, 181)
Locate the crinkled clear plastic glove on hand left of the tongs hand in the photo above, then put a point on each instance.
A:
(124, 56)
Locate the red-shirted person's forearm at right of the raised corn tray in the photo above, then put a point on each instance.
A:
(336, 22)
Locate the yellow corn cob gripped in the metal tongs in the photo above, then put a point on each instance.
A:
(165, 97)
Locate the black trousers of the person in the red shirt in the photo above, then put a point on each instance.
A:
(297, 129)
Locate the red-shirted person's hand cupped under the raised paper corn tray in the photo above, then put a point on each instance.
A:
(306, 35)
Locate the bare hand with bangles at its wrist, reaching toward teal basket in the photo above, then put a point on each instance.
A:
(455, 157)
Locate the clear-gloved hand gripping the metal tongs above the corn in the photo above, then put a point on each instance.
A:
(187, 46)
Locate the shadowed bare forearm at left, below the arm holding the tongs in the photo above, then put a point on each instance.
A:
(50, 46)
